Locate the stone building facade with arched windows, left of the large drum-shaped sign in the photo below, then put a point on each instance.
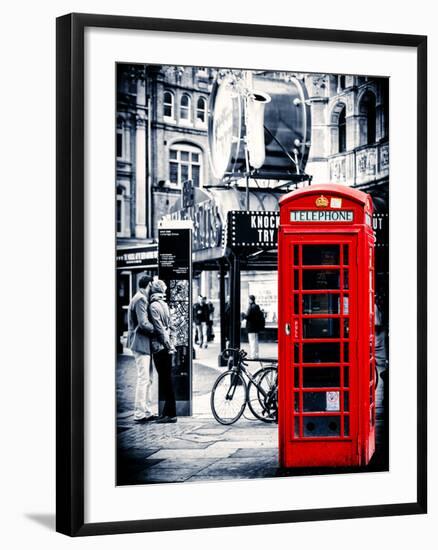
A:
(161, 142)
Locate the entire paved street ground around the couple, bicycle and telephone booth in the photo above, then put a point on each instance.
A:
(198, 448)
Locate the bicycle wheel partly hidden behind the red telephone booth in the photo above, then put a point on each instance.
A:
(262, 395)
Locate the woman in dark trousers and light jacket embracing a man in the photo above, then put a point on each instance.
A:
(163, 348)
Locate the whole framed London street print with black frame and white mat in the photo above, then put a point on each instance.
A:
(241, 258)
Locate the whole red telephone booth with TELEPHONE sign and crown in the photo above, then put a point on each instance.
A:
(326, 414)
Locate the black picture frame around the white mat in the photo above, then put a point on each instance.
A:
(70, 273)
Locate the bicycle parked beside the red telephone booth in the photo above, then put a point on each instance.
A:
(231, 393)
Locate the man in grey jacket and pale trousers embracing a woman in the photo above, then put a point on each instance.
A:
(140, 330)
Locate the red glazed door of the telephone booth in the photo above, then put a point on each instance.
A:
(322, 291)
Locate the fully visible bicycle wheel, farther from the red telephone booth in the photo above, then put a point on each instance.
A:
(228, 397)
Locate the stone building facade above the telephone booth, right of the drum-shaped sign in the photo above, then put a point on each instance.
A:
(350, 129)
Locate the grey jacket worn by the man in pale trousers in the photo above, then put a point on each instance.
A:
(139, 327)
